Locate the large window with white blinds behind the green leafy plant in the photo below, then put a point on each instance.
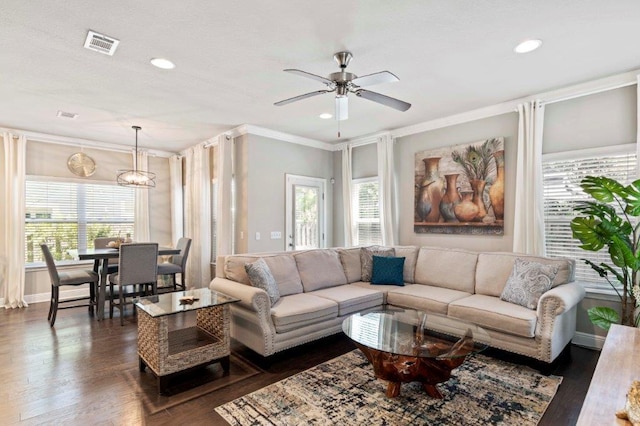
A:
(561, 180)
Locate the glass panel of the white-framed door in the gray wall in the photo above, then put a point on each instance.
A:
(307, 220)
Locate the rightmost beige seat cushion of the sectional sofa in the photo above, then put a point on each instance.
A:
(492, 313)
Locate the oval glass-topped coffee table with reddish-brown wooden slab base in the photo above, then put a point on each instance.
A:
(412, 346)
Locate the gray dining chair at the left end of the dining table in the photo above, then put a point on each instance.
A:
(72, 277)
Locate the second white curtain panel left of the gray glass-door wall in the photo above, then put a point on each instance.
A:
(198, 216)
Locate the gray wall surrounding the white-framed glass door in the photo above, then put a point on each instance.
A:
(261, 166)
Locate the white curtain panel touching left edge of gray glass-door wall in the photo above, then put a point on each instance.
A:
(224, 214)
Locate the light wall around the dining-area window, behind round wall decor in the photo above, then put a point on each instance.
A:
(46, 159)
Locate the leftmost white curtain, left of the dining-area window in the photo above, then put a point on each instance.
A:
(12, 213)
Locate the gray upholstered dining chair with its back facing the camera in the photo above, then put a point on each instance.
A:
(137, 267)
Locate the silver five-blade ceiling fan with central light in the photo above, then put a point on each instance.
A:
(343, 83)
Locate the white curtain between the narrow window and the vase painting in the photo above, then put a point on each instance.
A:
(387, 191)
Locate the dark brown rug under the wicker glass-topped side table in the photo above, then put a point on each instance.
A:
(187, 386)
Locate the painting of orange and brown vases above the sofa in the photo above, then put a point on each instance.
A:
(460, 189)
